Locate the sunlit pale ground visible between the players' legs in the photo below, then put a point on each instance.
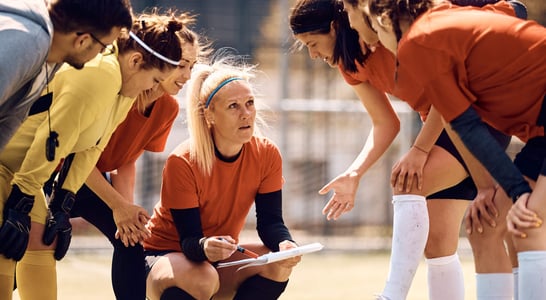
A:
(320, 276)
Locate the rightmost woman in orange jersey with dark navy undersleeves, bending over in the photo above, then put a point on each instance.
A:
(488, 69)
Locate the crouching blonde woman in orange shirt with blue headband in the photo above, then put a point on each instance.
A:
(210, 182)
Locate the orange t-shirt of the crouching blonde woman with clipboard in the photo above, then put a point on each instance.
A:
(224, 198)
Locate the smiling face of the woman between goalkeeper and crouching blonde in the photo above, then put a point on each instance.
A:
(174, 83)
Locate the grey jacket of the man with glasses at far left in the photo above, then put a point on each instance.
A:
(26, 33)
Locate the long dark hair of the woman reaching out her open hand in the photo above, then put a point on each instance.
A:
(315, 16)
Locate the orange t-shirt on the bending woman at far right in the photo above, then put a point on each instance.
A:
(456, 57)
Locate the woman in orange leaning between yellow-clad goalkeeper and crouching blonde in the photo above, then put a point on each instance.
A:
(107, 198)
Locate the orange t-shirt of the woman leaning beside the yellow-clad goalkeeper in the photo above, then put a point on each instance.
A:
(138, 133)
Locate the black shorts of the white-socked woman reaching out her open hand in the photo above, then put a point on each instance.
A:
(465, 189)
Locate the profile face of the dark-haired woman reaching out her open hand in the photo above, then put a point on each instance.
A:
(319, 45)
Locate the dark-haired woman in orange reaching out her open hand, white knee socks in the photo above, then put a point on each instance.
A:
(433, 163)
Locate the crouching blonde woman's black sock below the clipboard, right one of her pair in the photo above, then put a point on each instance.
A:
(258, 287)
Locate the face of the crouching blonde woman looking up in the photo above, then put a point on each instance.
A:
(232, 114)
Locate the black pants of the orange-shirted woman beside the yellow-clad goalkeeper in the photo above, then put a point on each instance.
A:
(128, 267)
